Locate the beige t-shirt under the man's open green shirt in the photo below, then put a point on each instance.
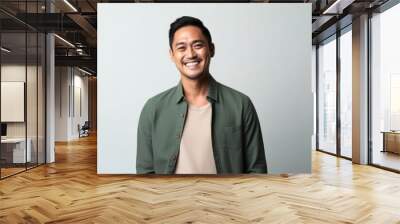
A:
(196, 153)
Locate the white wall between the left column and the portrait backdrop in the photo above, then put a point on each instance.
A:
(68, 82)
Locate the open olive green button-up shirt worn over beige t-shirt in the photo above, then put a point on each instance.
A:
(235, 131)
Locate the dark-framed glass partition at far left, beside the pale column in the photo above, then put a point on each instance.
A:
(22, 63)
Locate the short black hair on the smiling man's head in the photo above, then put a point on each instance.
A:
(188, 21)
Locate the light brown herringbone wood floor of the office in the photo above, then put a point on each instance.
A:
(70, 191)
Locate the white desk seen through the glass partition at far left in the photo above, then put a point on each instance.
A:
(15, 148)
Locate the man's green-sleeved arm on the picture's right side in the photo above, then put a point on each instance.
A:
(255, 161)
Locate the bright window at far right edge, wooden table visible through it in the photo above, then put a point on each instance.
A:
(385, 88)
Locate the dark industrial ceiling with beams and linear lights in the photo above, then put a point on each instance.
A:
(76, 22)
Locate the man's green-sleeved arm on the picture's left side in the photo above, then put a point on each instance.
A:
(144, 156)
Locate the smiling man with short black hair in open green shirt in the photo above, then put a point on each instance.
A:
(200, 126)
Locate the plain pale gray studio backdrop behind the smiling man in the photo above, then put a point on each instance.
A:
(262, 50)
